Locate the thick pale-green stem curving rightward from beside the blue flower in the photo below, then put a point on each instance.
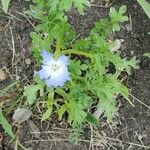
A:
(77, 52)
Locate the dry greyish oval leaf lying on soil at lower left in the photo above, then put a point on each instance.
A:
(21, 114)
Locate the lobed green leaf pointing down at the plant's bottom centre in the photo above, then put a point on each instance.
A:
(79, 101)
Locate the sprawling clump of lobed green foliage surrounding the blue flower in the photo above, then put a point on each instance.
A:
(91, 81)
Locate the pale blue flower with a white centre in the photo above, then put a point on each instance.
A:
(54, 72)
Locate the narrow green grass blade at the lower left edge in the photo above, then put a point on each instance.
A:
(5, 124)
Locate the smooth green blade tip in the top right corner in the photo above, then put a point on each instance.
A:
(146, 6)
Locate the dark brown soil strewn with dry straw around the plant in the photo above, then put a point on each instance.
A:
(132, 130)
